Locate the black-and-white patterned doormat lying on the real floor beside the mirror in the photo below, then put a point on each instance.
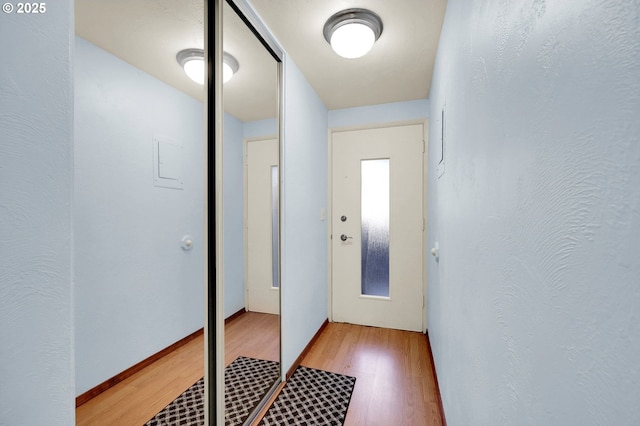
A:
(311, 397)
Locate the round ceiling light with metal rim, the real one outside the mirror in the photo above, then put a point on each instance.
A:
(352, 32)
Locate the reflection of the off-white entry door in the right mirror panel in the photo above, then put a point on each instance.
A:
(262, 226)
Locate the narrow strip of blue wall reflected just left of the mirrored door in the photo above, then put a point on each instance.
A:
(233, 211)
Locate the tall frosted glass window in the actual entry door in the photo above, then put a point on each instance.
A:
(375, 227)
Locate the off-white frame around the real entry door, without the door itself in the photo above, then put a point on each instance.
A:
(331, 131)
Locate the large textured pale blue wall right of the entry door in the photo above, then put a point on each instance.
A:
(533, 307)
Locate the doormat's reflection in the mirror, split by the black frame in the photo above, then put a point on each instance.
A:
(246, 380)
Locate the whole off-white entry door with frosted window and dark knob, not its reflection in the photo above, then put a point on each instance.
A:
(377, 227)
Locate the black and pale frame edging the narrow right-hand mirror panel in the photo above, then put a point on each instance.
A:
(214, 113)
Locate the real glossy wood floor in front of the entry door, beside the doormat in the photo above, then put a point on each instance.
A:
(394, 382)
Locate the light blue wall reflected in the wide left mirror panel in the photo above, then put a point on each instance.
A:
(137, 290)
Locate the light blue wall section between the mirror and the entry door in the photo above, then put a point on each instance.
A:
(304, 192)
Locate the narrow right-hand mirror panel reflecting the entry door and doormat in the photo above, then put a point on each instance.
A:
(250, 203)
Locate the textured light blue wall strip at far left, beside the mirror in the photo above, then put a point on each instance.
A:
(36, 178)
